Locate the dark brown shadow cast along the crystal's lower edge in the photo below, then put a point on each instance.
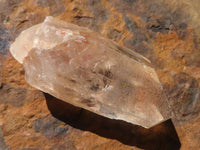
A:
(162, 136)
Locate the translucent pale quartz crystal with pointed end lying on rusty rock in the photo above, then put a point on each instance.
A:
(87, 70)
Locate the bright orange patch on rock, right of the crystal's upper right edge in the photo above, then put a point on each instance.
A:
(171, 50)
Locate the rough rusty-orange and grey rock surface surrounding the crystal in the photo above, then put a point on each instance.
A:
(166, 32)
